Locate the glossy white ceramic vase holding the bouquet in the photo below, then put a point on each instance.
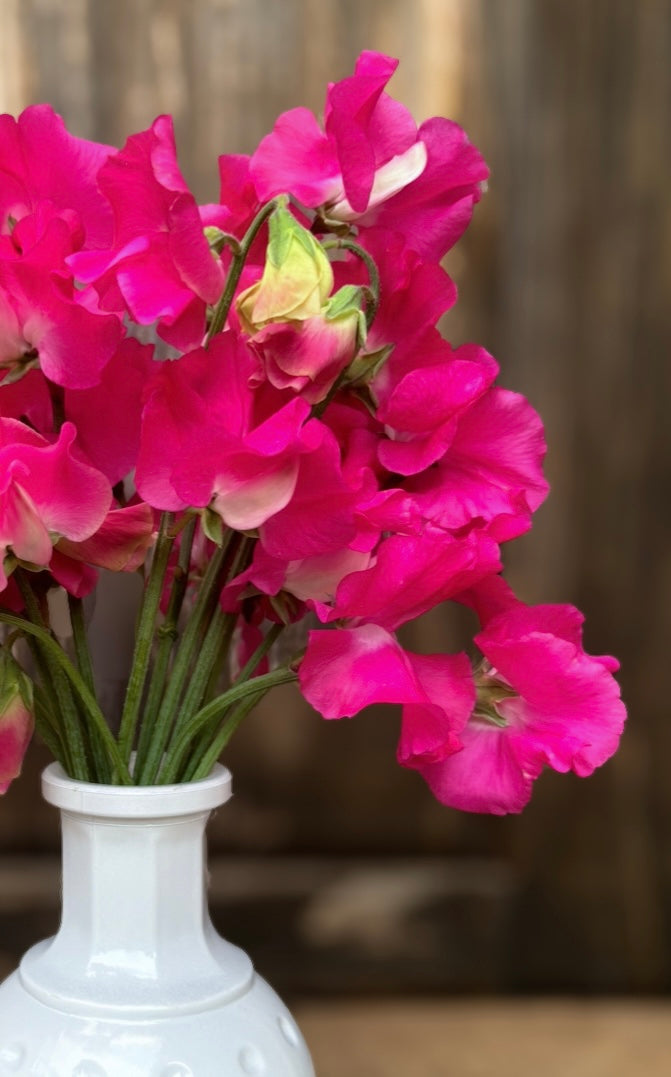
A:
(137, 983)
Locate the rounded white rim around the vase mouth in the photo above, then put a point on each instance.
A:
(135, 802)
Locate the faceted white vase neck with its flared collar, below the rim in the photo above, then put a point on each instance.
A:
(136, 931)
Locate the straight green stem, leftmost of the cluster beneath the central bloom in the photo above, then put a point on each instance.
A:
(145, 638)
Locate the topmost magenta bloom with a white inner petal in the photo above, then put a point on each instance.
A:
(372, 165)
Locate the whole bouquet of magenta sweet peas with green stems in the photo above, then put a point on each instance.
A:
(250, 403)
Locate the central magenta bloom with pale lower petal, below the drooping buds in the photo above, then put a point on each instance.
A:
(211, 439)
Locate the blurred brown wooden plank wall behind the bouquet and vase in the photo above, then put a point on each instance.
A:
(566, 277)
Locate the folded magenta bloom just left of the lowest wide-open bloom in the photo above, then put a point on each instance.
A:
(345, 670)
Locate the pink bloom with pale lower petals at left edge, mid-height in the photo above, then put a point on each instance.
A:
(46, 492)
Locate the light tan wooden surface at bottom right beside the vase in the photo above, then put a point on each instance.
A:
(429, 1039)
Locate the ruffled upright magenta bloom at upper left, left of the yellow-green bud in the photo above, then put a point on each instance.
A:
(160, 267)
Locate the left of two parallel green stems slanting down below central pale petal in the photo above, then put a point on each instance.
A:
(208, 595)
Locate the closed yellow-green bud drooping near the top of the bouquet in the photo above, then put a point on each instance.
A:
(298, 278)
